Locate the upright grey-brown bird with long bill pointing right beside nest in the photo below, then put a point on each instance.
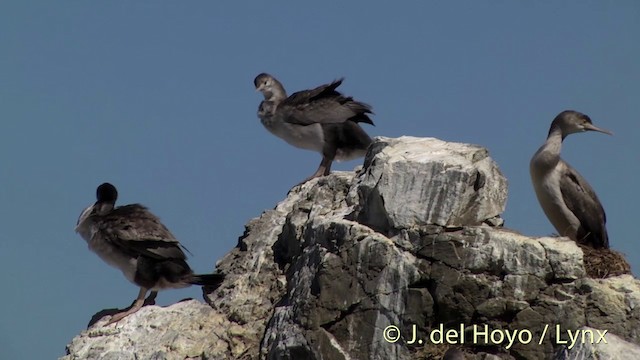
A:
(565, 196)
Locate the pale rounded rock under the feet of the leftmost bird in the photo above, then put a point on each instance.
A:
(186, 330)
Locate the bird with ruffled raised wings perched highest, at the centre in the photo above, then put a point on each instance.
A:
(321, 119)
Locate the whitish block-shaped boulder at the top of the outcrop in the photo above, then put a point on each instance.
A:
(409, 182)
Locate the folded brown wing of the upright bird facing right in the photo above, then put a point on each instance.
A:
(584, 204)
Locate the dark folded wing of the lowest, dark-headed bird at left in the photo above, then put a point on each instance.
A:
(135, 230)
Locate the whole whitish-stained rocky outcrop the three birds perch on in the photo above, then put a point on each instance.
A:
(405, 259)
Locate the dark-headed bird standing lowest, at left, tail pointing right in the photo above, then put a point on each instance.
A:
(134, 240)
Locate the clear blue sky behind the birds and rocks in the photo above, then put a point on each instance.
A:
(157, 98)
